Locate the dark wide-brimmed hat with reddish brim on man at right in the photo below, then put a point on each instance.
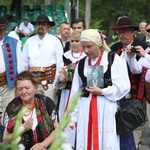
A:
(124, 22)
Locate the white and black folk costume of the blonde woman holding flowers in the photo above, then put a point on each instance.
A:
(71, 58)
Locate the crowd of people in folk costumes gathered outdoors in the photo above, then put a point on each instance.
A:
(50, 70)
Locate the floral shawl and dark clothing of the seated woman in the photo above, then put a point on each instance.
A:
(44, 113)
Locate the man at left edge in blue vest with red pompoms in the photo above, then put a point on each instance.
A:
(10, 65)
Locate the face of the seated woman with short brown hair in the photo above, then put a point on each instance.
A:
(26, 90)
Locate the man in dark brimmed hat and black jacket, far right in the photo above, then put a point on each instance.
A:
(127, 45)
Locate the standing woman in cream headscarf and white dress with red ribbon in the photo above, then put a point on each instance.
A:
(95, 113)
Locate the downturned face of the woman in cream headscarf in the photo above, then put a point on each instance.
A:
(91, 50)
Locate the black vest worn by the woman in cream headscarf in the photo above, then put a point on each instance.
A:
(107, 74)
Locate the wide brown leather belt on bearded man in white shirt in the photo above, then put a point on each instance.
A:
(45, 75)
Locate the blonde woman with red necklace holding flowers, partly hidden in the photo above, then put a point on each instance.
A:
(70, 58)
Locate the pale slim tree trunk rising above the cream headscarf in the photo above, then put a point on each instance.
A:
(88, 13)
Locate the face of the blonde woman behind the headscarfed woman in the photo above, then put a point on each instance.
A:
(75, 45)
